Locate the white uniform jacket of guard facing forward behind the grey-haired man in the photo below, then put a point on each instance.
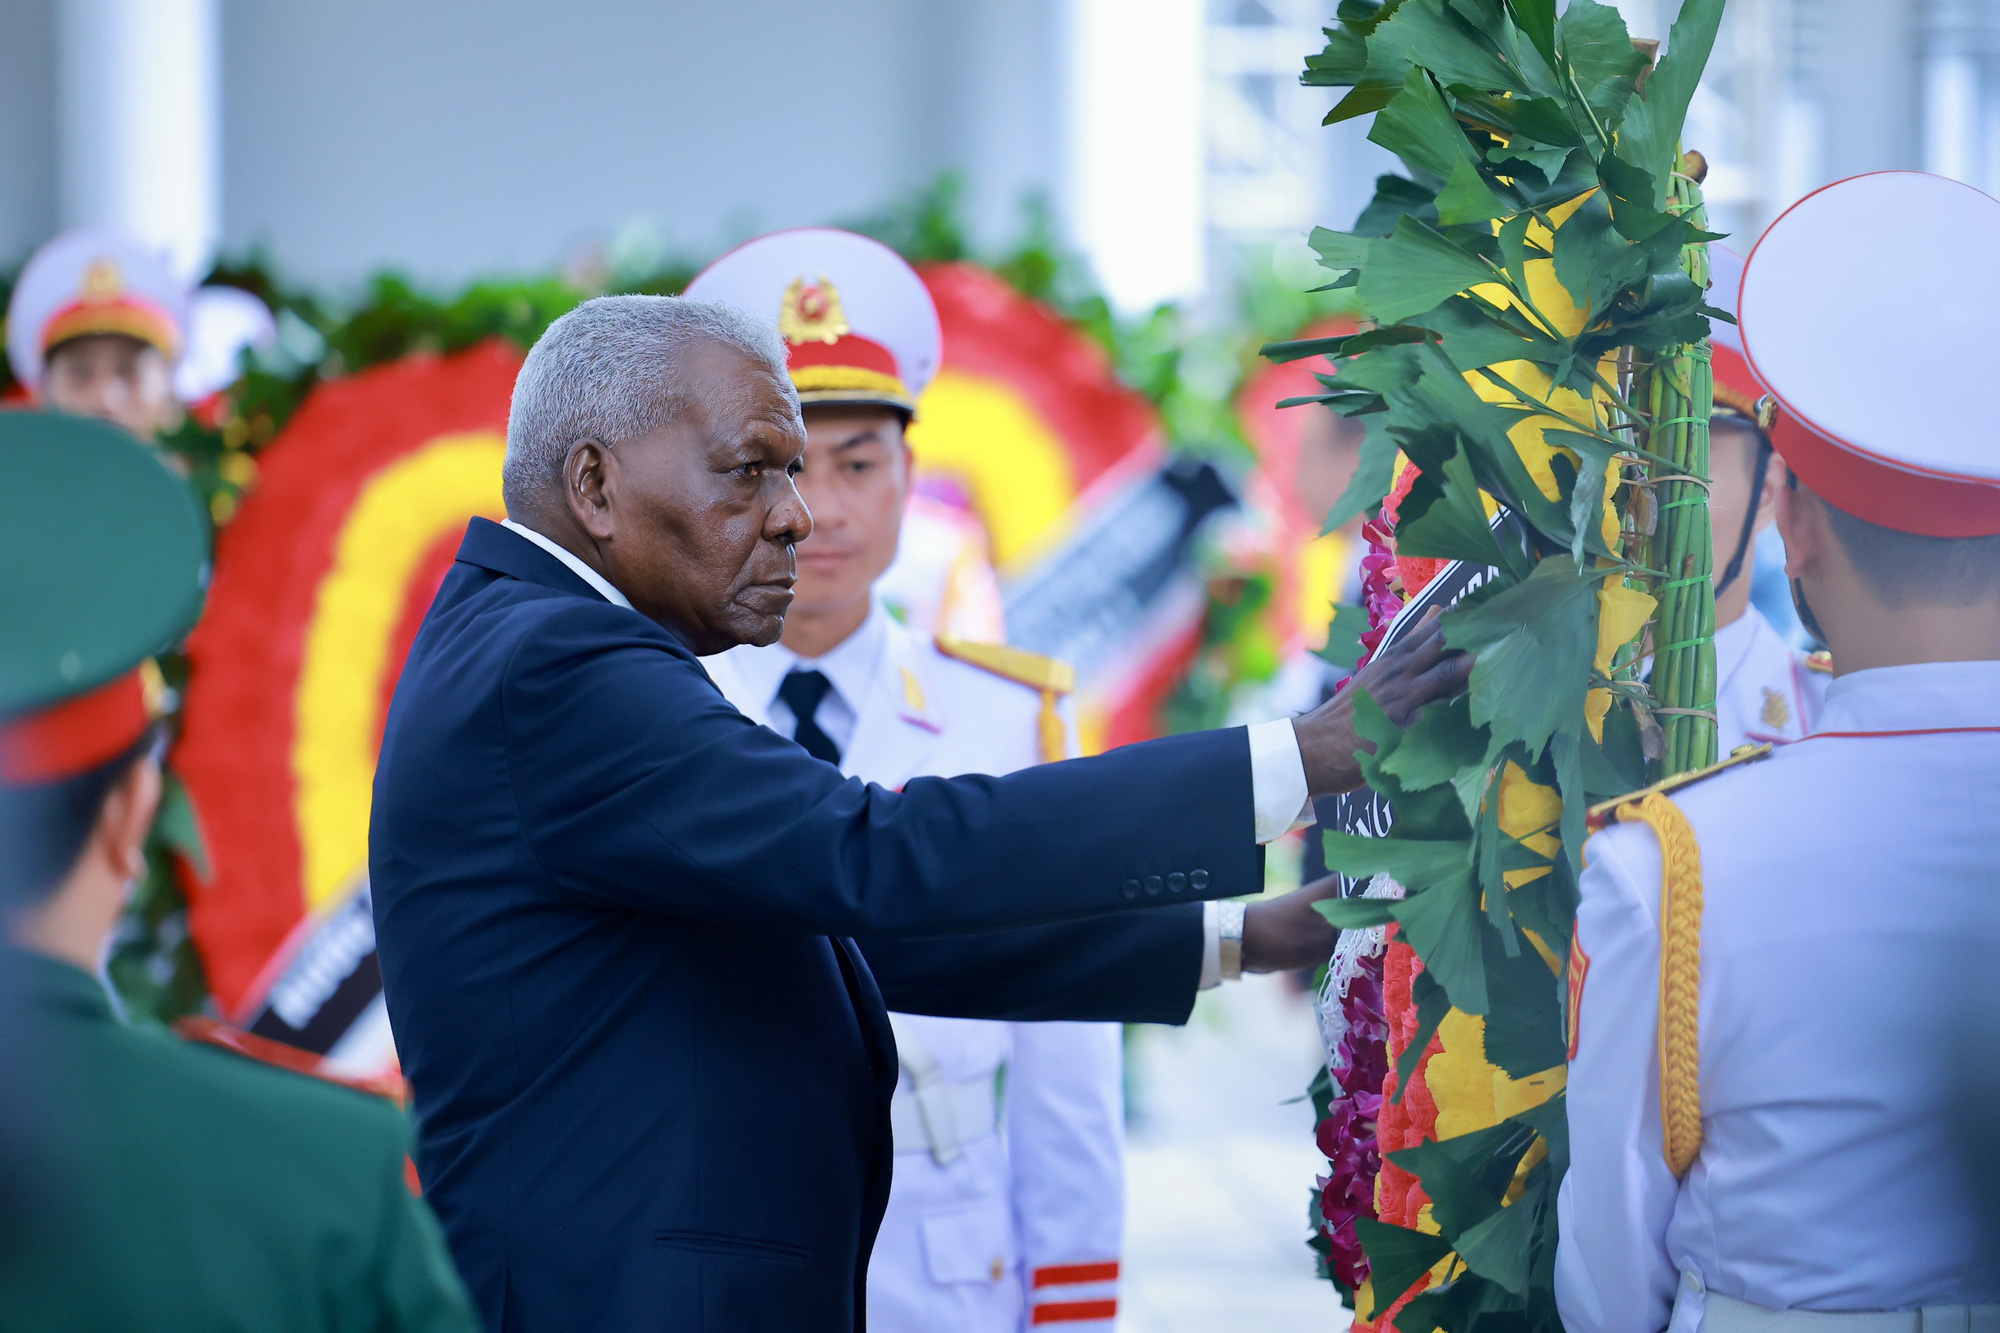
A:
(1023, 1226)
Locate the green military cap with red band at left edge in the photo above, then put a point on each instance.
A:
(103, 565)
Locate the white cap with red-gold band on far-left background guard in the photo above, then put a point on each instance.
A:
(93, 281)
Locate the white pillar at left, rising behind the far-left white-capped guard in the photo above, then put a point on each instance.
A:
(139, 123)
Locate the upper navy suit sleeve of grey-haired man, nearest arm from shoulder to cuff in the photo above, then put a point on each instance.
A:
(641, 788)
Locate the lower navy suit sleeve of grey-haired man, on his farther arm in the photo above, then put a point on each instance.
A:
(1133, 968)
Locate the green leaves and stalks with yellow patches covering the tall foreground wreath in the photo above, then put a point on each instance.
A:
(1535, 299)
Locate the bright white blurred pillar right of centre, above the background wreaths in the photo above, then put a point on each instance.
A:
(1139, 153)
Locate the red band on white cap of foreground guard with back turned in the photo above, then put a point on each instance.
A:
(1893, 495)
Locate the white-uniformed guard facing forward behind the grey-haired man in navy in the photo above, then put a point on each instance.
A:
(1009, 1186)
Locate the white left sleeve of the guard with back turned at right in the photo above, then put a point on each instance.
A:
(1613, 1272)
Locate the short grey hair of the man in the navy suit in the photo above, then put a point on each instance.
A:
(607, 371)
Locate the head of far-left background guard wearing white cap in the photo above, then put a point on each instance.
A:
(97, 325)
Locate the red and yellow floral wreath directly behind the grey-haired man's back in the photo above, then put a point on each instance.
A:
(319, 589)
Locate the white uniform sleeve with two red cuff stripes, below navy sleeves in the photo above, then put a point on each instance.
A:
(1065, 1126)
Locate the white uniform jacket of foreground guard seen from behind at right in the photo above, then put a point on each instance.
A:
(1851, 920)
